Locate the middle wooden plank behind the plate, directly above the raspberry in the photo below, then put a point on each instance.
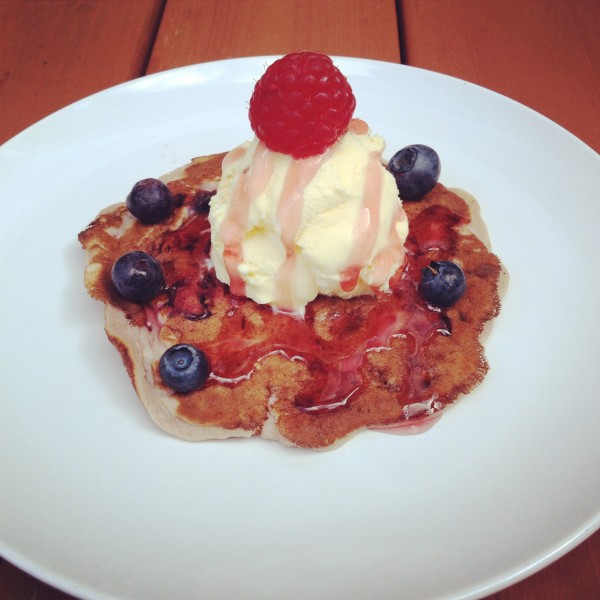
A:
(193, 32)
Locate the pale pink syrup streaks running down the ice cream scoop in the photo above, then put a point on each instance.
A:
(253, 181)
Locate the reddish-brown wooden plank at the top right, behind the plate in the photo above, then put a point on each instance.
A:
(542, 53)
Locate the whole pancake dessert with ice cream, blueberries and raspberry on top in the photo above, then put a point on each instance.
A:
(298, 287)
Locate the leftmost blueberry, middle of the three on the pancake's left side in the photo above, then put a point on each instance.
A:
(138, 276)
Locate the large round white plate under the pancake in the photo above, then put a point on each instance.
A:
(97, 501)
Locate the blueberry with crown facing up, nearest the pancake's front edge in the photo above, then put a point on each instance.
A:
(183, 368)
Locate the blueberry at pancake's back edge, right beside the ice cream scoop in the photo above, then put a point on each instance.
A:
(416, 170)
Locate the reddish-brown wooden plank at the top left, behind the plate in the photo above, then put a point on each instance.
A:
(55, 52)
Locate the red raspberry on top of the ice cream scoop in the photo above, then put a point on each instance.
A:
(301, 105)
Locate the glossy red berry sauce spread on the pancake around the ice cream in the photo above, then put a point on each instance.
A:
(337, 361)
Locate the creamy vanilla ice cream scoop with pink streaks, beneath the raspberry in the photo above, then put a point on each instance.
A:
(285, 230)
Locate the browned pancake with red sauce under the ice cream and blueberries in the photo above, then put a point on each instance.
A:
(382, 361)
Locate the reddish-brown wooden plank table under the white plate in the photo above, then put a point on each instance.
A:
(543, 53)
